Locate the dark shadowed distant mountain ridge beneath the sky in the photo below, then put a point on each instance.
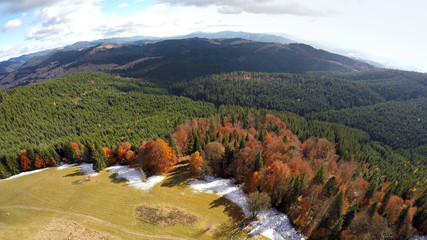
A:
(180, 59)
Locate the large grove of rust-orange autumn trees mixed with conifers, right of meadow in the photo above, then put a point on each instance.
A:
(308, 180)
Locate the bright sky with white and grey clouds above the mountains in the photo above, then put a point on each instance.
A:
(391, 32)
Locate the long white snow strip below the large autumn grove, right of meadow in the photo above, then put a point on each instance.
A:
(272, 224)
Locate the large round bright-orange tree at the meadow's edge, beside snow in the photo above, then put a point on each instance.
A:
(156, 157)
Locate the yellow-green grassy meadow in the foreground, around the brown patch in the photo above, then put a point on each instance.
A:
(29, 203)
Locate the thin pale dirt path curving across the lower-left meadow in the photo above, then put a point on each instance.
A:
(123, 229)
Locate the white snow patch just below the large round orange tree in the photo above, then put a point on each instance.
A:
(134, 177)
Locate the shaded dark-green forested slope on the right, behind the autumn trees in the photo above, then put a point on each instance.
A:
(389, 105)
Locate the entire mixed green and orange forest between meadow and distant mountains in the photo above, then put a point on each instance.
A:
(335, 151)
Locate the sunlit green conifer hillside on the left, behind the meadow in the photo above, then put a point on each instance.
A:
(91, 106)
